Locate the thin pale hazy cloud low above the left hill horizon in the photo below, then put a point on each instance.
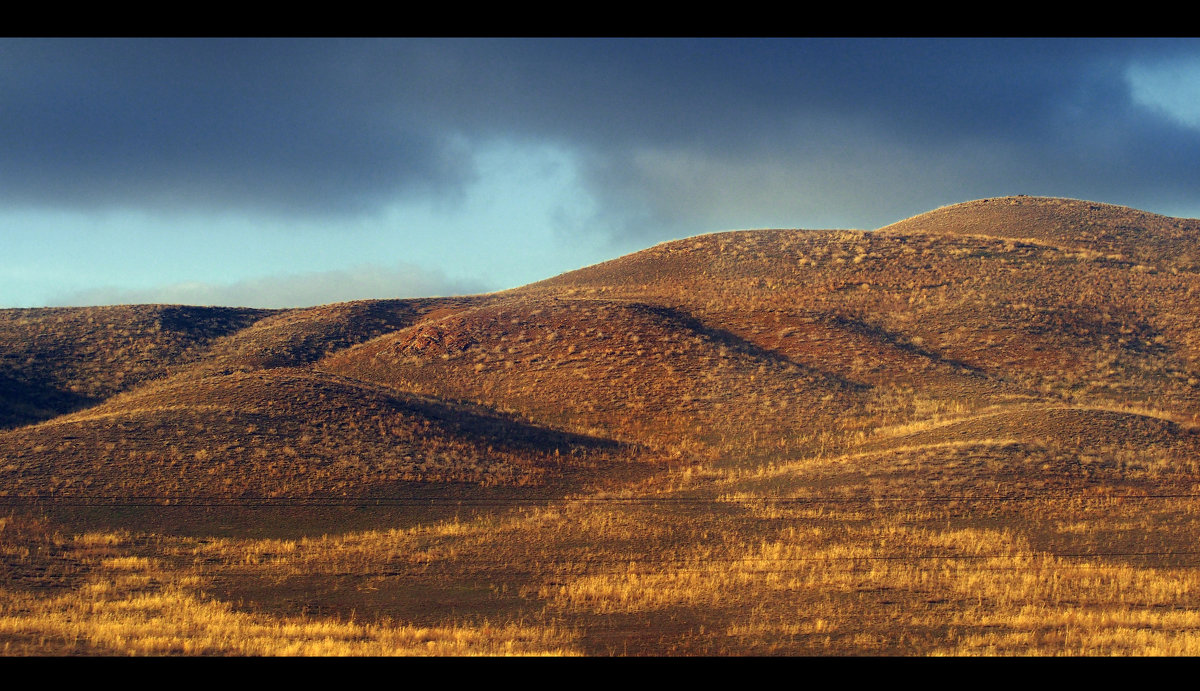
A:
(296, 291)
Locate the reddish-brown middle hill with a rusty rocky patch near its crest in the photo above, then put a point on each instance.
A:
(633, 371)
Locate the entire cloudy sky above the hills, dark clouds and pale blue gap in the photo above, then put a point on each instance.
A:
(301, 172)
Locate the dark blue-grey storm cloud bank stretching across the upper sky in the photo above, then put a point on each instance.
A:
(671, 135)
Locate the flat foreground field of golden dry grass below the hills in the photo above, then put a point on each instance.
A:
(710, 562)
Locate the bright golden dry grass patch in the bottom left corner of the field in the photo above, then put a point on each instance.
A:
(134, 606)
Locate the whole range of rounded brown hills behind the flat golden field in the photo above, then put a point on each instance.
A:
(755, 346)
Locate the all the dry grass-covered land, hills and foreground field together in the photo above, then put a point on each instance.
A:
(976, 431)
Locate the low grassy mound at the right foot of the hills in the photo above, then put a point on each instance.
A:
(1039, 448)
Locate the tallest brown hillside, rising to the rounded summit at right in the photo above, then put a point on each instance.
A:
(949, 313)
